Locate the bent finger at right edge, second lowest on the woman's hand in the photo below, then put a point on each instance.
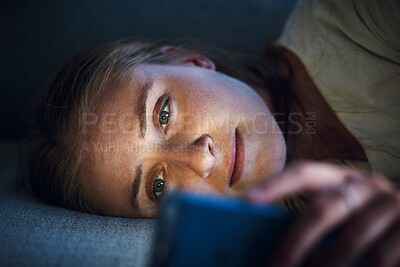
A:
(364, 229)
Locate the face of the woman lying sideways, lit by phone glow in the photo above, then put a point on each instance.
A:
(176, 127)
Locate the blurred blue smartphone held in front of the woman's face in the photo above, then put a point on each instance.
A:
(197, 230)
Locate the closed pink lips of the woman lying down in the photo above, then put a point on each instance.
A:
(237, 158)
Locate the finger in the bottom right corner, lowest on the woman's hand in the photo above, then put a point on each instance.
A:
(386, 251)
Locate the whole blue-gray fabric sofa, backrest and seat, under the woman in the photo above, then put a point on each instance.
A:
(37, 36)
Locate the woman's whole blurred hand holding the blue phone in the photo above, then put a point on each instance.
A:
(366, 206)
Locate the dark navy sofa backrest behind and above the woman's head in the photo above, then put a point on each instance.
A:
(38, 36)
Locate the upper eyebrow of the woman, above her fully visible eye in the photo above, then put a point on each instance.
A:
(141, 105)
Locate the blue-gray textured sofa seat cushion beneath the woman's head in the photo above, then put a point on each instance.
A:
(37, 234)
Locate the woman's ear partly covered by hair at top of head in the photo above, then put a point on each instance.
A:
(190, 57)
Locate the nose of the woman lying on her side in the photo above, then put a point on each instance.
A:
(197, 155)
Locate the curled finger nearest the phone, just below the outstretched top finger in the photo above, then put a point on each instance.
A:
(309, 228)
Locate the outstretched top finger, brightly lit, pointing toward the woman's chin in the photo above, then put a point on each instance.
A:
(303, 177)
